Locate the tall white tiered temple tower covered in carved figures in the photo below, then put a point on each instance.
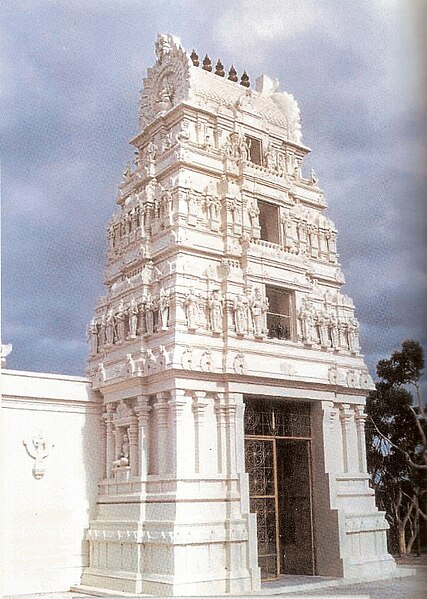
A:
(226, 355)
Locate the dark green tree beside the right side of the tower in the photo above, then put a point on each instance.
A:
(397, 446)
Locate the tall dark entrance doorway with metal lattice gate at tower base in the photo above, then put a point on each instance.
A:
(278, 462)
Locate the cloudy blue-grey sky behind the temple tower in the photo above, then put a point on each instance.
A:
(71, 74)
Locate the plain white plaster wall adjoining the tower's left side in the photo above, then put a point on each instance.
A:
(45, 518)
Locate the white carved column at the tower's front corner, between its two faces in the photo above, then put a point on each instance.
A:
(178, 451)
